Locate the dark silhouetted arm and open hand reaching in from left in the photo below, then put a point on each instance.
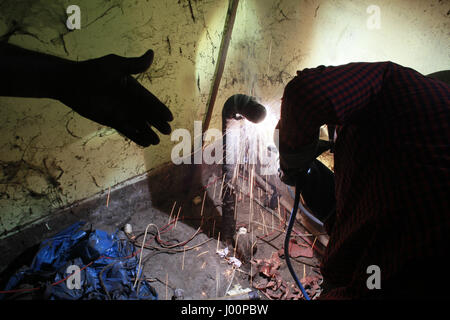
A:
(102, 90)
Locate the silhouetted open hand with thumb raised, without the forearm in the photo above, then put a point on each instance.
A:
(104, 91)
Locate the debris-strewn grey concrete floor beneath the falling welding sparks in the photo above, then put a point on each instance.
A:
(184, 204)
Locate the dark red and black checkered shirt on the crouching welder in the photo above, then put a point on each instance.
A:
(392, 171)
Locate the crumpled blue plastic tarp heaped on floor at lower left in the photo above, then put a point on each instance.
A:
(95, 254)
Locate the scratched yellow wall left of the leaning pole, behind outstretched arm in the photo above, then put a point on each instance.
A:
(51, 157)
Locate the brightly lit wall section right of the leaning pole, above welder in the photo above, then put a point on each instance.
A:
(273, 39)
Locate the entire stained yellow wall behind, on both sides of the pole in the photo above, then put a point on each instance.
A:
(51, 157)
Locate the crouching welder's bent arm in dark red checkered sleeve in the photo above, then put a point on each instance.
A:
(323, 95)
